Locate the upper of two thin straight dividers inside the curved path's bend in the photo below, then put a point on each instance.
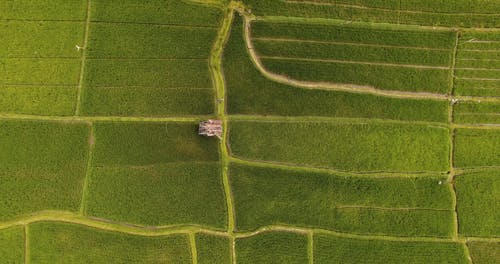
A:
(270, 39)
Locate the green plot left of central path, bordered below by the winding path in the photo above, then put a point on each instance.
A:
(177, 194)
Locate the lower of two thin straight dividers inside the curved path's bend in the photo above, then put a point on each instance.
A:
(413, 66)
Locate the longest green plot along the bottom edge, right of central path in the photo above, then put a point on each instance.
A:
(333, 249)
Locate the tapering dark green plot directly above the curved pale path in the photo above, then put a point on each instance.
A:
(387, 77)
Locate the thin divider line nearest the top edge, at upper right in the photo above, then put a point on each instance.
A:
(309, 2)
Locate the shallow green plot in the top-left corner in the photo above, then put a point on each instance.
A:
(43, 9)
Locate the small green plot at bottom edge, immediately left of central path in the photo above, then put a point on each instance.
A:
(212, 249)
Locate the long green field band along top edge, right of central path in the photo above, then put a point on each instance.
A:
(410, 12)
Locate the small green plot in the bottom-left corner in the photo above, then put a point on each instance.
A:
(12, 245)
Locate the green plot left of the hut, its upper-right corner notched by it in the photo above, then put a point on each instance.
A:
(148, 143)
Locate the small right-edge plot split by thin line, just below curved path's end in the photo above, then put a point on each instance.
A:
(477, 113)
